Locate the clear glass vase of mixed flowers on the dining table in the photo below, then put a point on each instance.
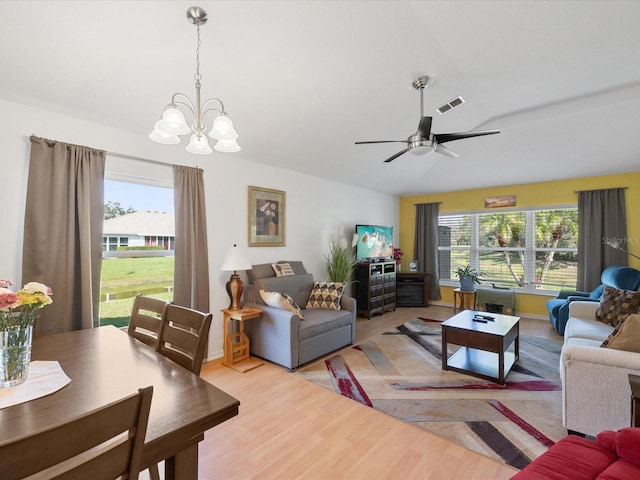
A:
(18, 312)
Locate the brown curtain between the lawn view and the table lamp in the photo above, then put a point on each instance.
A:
(191, 271)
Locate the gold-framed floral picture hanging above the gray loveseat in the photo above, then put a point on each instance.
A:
(266, 217)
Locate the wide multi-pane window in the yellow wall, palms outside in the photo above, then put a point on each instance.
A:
(532, 249)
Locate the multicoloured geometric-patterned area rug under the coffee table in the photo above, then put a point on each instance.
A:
(400, 373)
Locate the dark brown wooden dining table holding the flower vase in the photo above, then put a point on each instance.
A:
(104, 365)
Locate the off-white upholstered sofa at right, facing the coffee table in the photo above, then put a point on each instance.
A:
(595, 388)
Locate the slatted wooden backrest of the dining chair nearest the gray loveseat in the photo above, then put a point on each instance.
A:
(184, 336)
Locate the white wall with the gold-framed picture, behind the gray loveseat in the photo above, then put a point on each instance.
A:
(315, 208)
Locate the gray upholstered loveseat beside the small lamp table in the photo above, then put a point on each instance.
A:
(279, 335)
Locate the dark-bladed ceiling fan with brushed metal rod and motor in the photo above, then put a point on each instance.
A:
(423, 141)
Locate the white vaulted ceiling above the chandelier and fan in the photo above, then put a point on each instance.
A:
(303, 81)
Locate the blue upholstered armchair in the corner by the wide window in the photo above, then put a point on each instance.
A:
(625, 278)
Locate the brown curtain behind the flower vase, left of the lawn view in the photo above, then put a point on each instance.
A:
(63, 232)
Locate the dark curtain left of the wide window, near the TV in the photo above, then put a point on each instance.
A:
(425, 245)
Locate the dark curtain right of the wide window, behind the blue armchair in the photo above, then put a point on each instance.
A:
(601, 215)
